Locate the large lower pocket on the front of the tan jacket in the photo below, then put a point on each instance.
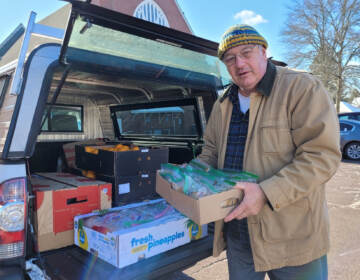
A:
(293, 222)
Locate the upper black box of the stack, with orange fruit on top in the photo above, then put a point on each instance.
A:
(128, 163)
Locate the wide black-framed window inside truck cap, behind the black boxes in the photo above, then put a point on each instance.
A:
(174, 121)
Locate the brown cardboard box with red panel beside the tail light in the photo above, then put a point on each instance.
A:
(56, 205)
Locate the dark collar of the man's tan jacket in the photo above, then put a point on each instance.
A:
(264, 87)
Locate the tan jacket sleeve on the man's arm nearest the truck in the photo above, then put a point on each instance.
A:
(209, 153)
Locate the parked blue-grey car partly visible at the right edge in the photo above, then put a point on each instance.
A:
(350, 138)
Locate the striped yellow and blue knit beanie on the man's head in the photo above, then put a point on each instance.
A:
(240, 34)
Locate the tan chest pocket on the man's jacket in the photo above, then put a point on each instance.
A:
(276, 138)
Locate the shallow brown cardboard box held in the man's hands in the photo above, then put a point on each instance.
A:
(204, 210)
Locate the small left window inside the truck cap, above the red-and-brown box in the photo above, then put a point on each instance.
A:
(63, 118)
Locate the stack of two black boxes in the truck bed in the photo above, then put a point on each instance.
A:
(132, 173)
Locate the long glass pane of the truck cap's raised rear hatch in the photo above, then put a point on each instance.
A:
(103, 40)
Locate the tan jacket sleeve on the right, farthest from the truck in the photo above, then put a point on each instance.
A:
(315, 133)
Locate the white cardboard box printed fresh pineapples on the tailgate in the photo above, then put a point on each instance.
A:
(124, 247)
